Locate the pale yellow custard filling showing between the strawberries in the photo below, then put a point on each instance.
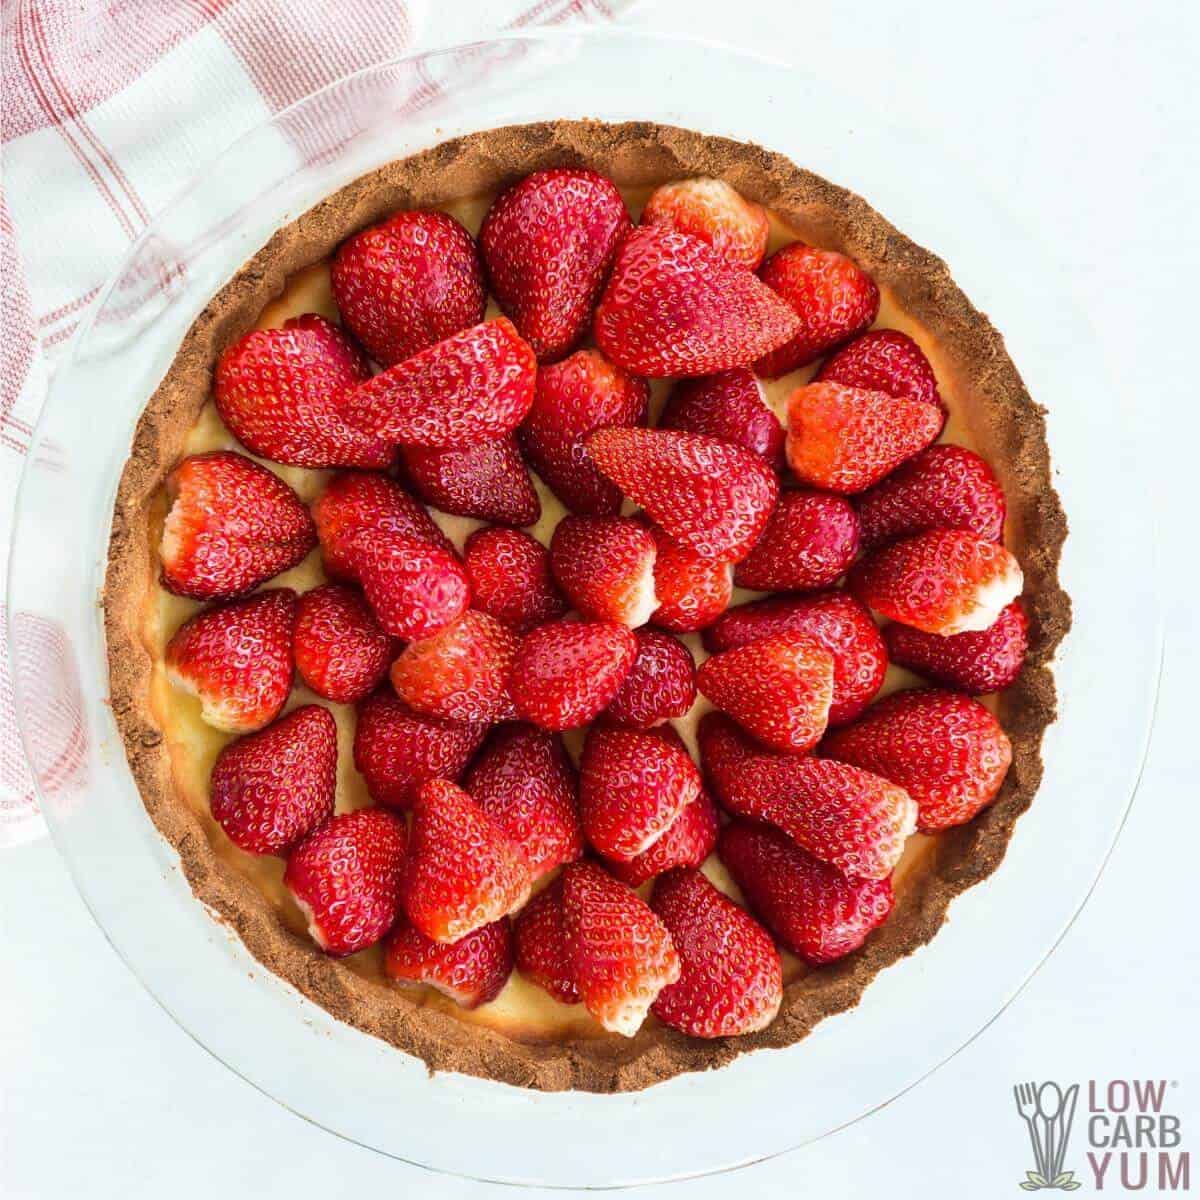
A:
(523, 1010)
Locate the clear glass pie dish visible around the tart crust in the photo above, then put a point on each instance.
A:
(916, 1015)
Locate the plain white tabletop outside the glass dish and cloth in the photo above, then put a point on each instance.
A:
(1085, 121)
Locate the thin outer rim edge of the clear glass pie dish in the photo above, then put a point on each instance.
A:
(68, 363)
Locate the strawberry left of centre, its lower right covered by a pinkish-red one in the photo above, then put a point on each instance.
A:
(356, 501)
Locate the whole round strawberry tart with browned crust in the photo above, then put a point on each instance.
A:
(581, 602)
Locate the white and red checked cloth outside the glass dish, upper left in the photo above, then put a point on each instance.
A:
(110, 106)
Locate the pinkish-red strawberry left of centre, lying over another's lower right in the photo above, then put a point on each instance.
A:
(415, 590)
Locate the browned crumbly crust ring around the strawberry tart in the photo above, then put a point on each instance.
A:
(1007, 425)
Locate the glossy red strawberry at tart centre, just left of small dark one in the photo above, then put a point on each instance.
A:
(566, 673)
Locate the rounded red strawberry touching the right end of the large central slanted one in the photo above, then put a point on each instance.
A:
(811, 541)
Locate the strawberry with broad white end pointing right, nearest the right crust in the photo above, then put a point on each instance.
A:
(946, 581)
